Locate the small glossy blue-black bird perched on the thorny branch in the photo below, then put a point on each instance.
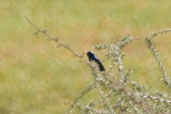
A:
(92, 57)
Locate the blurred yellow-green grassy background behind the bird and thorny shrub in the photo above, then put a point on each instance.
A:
(38, 78)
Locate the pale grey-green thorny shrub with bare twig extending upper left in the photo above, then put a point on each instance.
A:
(132, 97)
